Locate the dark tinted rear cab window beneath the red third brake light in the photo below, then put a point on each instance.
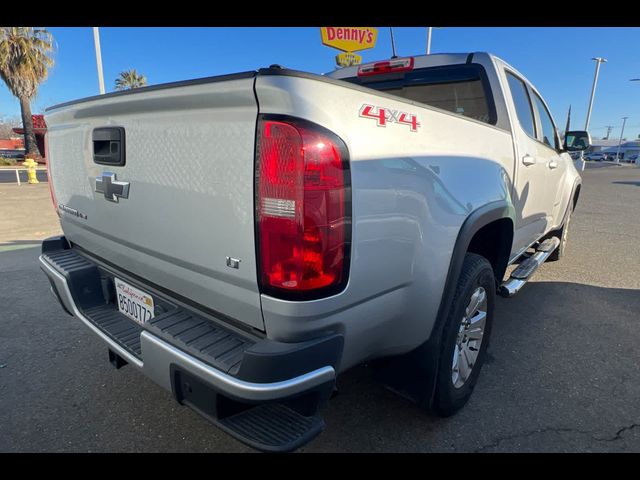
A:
(461, 89)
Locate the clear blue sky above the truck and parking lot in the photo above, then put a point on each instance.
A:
(557, 60)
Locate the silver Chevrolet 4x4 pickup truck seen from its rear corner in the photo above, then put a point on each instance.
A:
(244, 239)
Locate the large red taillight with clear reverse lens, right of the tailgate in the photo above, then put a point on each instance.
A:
(303, 202)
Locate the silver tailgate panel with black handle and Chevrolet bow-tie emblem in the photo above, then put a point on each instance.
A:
(189, 164)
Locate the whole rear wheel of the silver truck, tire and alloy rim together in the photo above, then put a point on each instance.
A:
(465, 335)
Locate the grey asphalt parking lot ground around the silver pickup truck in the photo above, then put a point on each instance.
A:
(562, 375)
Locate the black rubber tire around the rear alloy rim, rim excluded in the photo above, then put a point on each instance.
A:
(476, 272)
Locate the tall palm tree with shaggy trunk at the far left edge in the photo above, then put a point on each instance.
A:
(24, 62)
